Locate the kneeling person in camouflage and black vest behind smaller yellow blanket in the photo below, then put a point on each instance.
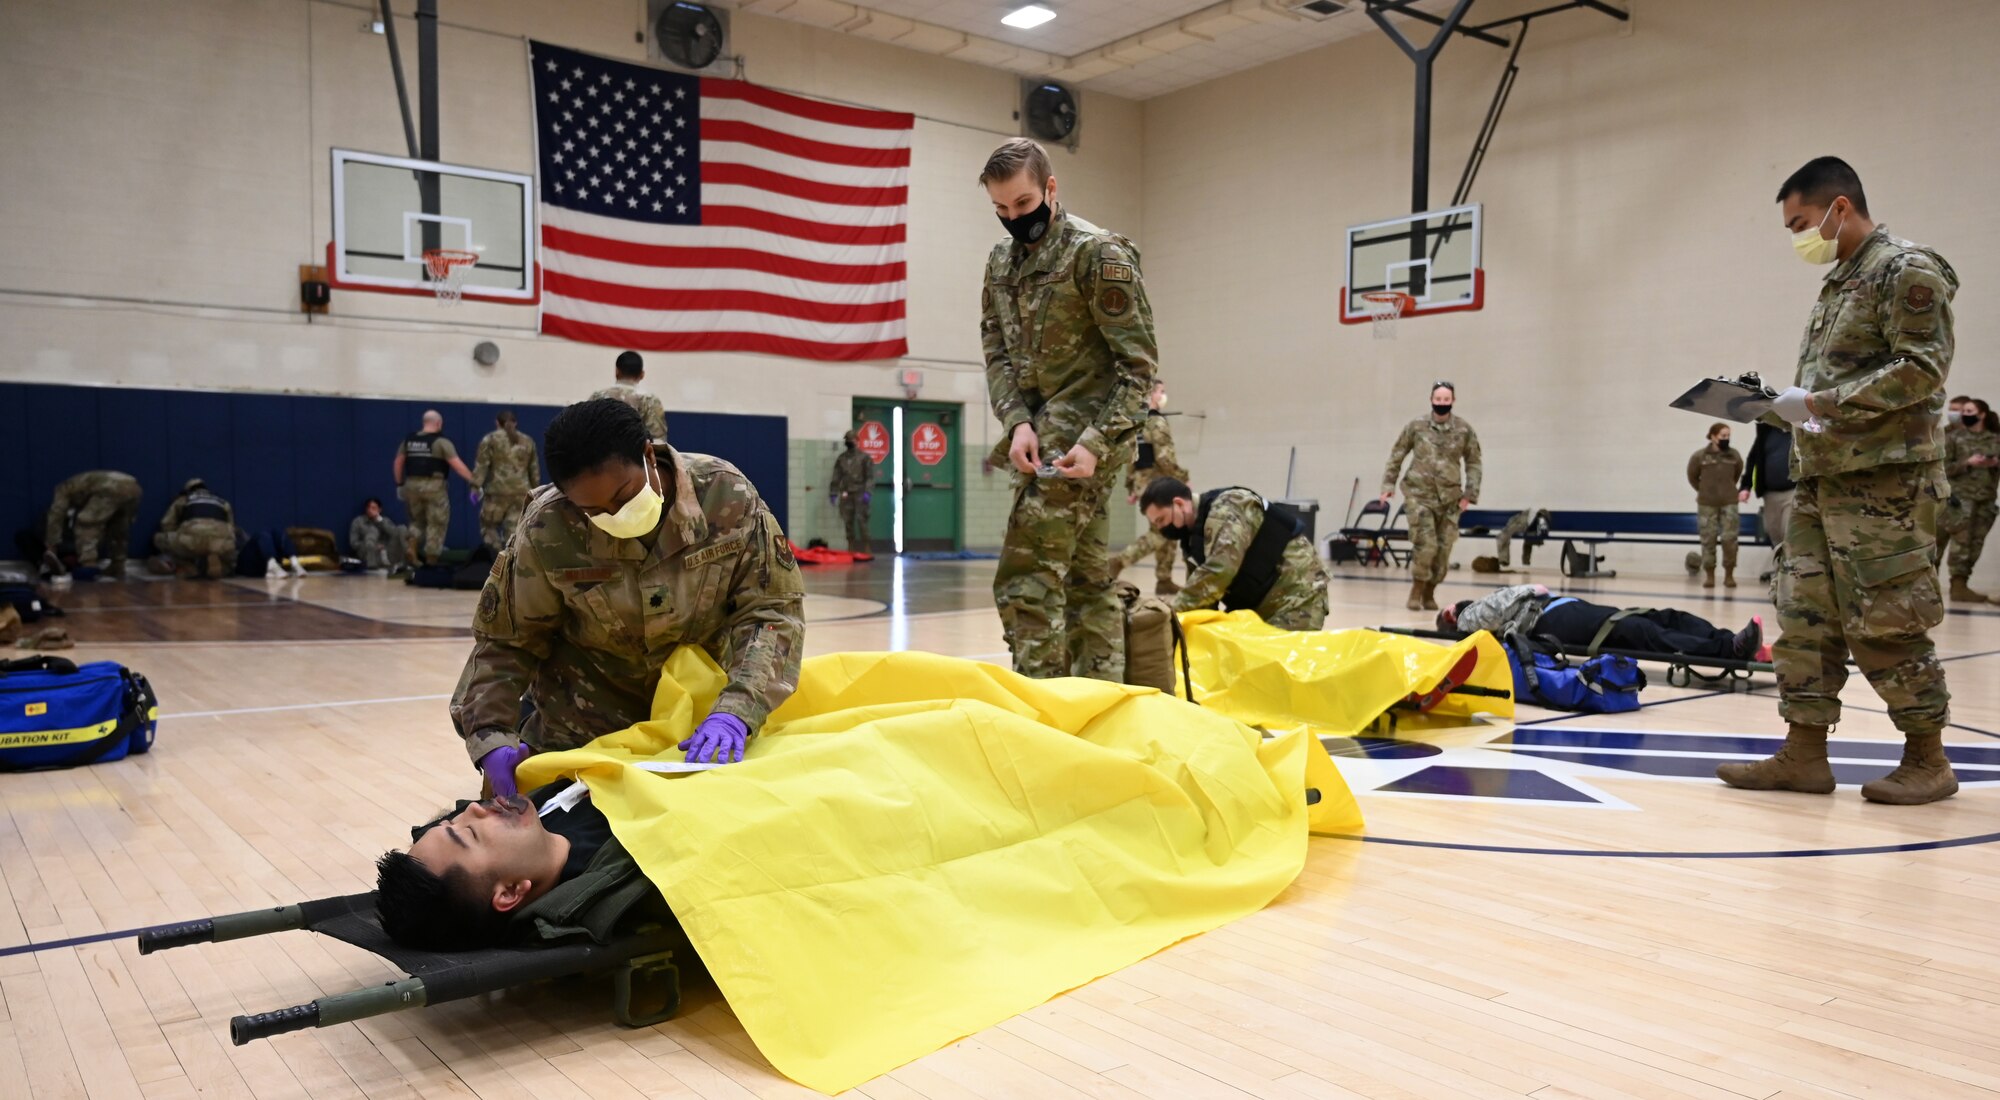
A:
(1243, 553)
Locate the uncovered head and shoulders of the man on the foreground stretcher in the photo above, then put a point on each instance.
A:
(497, 873)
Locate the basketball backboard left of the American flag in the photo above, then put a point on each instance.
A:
(381, 227)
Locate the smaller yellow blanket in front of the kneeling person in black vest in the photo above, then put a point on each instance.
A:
(1335, 681)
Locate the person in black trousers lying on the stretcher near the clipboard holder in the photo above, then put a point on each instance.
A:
(1531, 609)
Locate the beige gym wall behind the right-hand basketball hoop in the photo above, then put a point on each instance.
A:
(1631, 235)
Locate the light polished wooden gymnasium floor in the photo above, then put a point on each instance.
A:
(1563, 911)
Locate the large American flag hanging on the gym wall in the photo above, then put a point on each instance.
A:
(695, 215)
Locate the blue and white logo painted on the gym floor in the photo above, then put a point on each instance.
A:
(1555, 765)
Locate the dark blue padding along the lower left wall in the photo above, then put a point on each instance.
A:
(287, 461)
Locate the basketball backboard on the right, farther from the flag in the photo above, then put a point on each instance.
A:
(1431, 257)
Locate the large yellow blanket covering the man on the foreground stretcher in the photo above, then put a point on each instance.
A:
(921, 847)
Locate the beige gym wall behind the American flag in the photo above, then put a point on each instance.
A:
(167, 173)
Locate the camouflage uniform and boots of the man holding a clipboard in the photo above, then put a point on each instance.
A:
(1859, 571)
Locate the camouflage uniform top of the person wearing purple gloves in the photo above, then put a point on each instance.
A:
(579, 623)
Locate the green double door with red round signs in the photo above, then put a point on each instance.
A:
(921, 443)
